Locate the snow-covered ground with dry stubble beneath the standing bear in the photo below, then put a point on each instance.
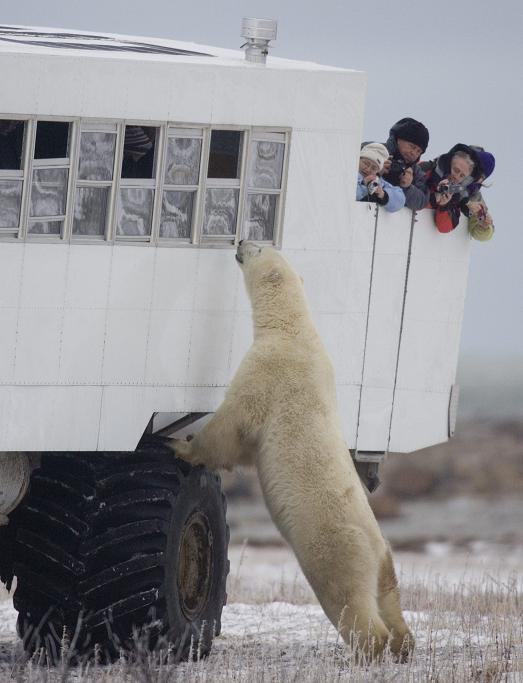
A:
(464, 609)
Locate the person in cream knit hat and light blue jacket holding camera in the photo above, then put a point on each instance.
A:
(371, 187)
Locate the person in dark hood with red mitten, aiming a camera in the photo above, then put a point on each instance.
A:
(449, 179)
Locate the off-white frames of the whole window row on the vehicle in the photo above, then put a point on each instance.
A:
(166, 130)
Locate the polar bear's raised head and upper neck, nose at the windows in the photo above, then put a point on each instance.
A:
(274, 287)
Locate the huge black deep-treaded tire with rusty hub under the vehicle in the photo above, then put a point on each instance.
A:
(110, 546)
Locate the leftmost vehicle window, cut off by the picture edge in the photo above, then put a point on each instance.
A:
(12, 133)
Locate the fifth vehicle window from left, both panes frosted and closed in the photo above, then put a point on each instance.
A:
(180, 182)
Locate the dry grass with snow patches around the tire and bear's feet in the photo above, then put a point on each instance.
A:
(470, 630)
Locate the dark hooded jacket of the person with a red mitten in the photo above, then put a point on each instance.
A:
(447, 217)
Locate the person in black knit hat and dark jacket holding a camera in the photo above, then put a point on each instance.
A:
(408, 140)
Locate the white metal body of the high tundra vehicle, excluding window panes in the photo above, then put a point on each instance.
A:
(98, 333)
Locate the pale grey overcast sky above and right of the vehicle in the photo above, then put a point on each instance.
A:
(455, 65)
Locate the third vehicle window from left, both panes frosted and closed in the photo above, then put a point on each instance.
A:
(94, 180)
